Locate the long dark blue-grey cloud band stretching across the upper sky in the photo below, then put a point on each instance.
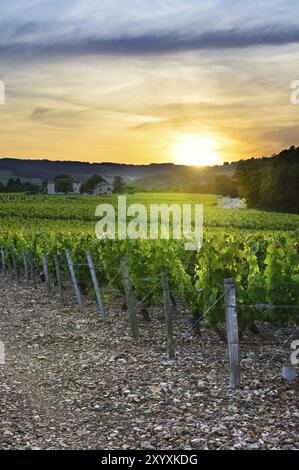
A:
(155, 44)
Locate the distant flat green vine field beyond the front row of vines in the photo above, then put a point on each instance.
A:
(78, 212)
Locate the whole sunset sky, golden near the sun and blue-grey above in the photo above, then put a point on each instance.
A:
(140, 81)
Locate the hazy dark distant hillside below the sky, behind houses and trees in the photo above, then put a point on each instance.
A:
(146, 176)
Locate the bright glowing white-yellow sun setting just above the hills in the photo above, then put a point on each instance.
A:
(195, 150)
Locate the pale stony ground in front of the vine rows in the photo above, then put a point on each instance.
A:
(70, 382)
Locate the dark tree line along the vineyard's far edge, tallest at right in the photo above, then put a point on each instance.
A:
(268, 183)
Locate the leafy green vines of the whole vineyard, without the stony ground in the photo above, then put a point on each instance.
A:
(260, 250)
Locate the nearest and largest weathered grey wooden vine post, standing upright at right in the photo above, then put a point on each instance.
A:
(231, 318)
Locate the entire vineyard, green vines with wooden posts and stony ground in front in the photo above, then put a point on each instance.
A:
(74, 380)
